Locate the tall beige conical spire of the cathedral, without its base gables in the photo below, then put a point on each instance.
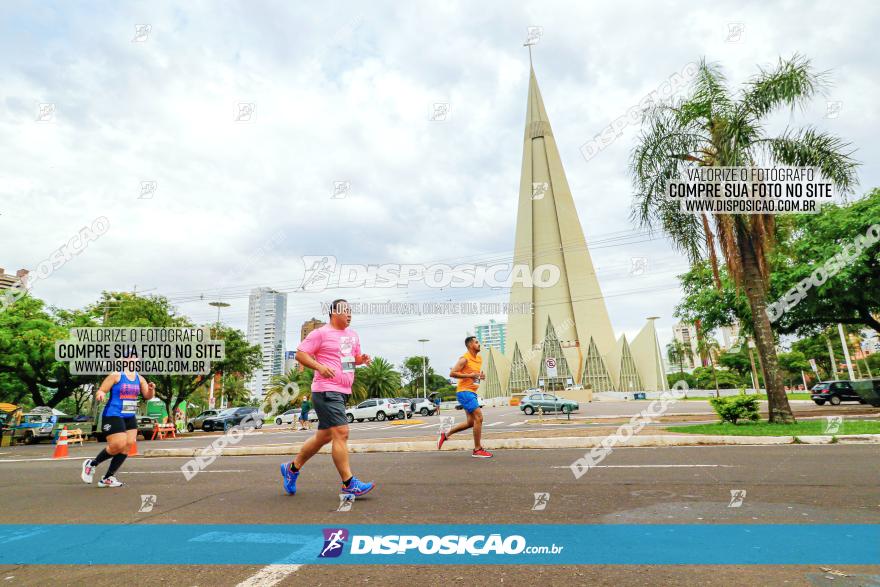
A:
(548, 233)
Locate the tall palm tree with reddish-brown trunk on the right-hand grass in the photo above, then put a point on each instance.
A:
(712, 127)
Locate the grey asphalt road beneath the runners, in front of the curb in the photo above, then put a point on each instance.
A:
(783, 484)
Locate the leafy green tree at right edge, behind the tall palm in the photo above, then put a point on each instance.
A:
(807, 243)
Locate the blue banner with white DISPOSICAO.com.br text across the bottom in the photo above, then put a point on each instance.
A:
(420, 544)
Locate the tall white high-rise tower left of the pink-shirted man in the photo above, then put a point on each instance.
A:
(267, 318)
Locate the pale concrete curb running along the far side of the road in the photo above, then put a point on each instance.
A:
(522, 443)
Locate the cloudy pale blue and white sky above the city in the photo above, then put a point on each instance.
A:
(212, 137)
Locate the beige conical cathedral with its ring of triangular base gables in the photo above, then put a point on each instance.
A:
(567, 340)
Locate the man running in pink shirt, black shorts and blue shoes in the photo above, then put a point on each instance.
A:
(332, 351)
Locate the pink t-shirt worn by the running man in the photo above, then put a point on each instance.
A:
(332, 347)
